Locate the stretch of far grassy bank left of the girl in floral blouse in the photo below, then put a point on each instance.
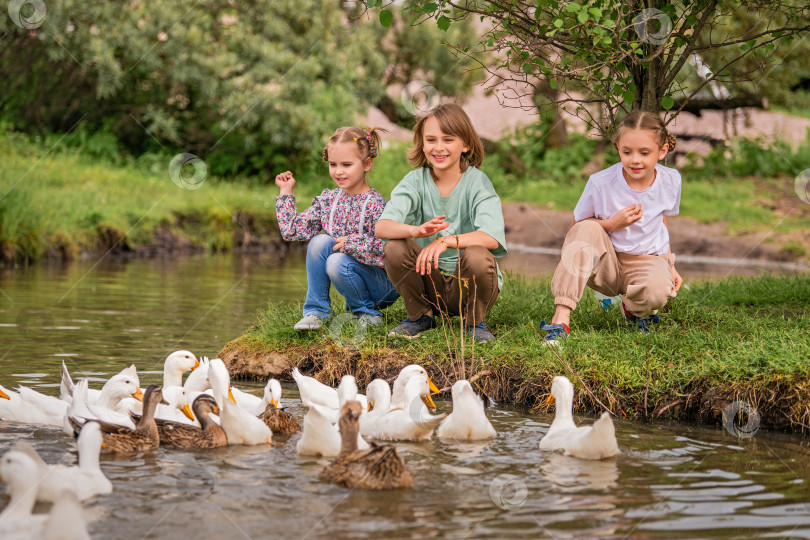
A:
(61, 203)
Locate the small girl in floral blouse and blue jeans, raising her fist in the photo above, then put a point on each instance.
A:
(348, 255)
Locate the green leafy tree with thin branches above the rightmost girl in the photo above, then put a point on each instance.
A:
(607, 57)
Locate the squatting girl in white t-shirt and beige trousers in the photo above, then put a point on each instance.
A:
(619, 244)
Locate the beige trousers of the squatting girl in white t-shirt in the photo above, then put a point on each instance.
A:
(588, 258)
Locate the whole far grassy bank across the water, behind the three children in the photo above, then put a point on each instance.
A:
(59, 201)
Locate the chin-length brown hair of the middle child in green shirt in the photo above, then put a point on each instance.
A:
(453, 121)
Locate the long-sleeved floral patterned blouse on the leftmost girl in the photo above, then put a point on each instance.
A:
(339, 214)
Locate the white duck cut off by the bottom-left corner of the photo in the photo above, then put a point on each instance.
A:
(66, 519)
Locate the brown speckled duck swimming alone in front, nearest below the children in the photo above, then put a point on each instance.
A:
(379, 467)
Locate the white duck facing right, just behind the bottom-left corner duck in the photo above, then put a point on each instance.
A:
(84, 481)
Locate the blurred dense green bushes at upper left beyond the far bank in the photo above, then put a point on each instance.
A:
(249, 86)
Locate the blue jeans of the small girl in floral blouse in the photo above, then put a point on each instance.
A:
(366, 288)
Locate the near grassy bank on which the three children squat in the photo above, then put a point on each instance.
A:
(739, 339)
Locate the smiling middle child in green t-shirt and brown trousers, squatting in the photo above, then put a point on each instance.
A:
(444, 228)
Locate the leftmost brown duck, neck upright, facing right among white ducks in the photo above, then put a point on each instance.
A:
(124, 440)
